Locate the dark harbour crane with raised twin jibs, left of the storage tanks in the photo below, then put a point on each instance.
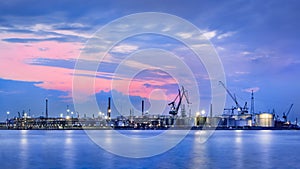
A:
(174, 108)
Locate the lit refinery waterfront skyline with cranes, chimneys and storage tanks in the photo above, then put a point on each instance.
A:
(237, 117)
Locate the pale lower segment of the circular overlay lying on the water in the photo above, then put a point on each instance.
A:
(136, 147)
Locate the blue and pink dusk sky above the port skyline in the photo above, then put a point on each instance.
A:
(42, 42)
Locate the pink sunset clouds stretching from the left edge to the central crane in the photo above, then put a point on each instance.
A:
(14, 66)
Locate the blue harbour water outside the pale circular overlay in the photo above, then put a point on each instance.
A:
(225, 149)
